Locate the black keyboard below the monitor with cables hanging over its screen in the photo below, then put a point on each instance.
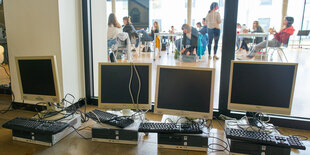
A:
(108, 118)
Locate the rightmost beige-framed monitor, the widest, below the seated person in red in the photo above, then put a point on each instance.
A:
(265, 87)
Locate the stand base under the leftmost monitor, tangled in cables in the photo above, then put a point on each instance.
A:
(51, 108)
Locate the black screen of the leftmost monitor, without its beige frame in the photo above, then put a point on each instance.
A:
(36, 76)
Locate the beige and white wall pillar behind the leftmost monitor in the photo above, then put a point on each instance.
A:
(47, 27)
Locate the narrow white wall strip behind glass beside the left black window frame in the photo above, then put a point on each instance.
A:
(99, 36)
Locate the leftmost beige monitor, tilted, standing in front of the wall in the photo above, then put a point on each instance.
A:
(38, 78)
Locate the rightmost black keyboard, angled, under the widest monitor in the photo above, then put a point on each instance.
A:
(265, 139)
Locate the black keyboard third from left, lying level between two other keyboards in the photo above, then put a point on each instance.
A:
(170, 128)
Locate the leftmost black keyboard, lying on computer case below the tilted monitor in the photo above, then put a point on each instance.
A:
(35, 125)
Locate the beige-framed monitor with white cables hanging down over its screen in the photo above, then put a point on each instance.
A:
(115, 80)
